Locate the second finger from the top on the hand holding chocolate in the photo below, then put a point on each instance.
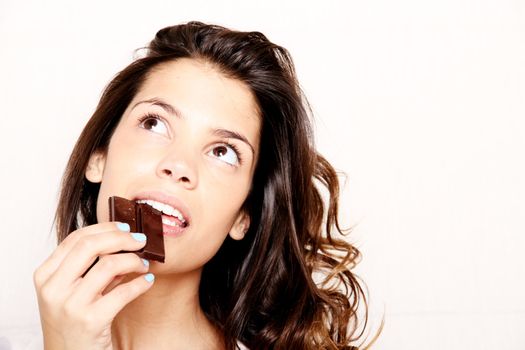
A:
(88, 248)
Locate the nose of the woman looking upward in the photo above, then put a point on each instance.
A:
(178, 168)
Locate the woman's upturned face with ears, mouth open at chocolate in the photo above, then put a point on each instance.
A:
(189, 142)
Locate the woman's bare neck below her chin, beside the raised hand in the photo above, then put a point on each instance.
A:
(167, 316)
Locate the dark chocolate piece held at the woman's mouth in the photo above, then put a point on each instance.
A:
(141, 218)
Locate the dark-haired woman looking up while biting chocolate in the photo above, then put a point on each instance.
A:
(211, 127)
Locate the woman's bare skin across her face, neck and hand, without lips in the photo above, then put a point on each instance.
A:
(180, 156)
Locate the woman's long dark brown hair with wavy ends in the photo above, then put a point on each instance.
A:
(288, 284)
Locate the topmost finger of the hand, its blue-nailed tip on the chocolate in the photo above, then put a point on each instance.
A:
(50, 265)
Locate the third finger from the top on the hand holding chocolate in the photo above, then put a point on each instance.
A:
(104, 272)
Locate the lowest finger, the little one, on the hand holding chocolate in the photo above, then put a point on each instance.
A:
(114, 301)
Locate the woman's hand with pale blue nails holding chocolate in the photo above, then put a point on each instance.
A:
(77, 308)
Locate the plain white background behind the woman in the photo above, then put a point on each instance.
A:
(421, 103)
